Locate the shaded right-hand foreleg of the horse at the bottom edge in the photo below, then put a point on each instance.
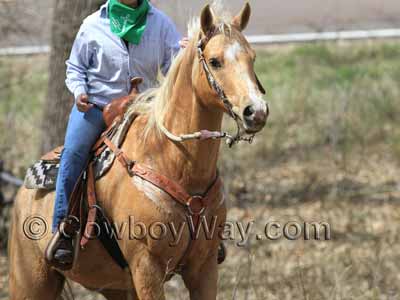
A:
(203, 283)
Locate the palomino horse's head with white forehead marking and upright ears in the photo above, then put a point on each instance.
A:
(227, 80)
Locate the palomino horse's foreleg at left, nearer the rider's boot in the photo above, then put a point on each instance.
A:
(148, 277)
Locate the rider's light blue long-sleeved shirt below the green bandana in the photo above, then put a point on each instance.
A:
(101, 66)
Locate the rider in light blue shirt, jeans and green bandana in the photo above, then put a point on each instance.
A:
(122, 40)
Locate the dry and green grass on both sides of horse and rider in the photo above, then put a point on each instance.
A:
(330, 152)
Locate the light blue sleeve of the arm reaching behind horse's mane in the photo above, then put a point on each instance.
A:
(171, 45)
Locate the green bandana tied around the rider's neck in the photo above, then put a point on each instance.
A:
(126, 22)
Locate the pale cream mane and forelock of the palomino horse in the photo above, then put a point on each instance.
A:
(154, 101)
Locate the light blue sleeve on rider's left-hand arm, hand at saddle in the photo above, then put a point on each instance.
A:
(78, 64)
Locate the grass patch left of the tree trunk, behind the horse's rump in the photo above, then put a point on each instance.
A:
(23, 85)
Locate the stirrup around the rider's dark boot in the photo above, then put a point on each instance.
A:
(69, 228)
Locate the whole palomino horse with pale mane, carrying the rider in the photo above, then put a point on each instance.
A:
(188, 100)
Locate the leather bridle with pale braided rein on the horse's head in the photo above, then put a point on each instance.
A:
(240, 135)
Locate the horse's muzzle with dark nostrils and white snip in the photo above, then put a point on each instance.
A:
(255, 117)
